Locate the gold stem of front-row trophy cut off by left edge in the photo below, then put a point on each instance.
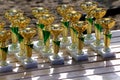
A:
(3, 54)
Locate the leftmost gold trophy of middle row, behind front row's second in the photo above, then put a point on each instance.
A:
(22, 23)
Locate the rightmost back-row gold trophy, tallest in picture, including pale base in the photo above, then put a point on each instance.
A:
(87, 7)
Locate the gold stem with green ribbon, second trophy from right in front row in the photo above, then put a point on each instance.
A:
(80, 42)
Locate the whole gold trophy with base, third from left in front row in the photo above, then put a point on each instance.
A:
(56, 29)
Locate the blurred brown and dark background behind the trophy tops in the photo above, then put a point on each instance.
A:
(113, 7)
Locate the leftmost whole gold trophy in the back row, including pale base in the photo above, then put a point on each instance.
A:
(11, 15)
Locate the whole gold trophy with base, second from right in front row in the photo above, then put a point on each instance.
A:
(79, 54)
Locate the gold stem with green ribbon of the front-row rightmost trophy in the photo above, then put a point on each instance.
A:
(107, 38)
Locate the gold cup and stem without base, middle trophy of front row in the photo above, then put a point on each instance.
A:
(56, 29)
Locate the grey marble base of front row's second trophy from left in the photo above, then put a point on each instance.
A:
(28, 65)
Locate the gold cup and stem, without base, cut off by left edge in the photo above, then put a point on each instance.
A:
(4, 36)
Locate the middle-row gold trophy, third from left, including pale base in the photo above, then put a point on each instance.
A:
(73, 16)
